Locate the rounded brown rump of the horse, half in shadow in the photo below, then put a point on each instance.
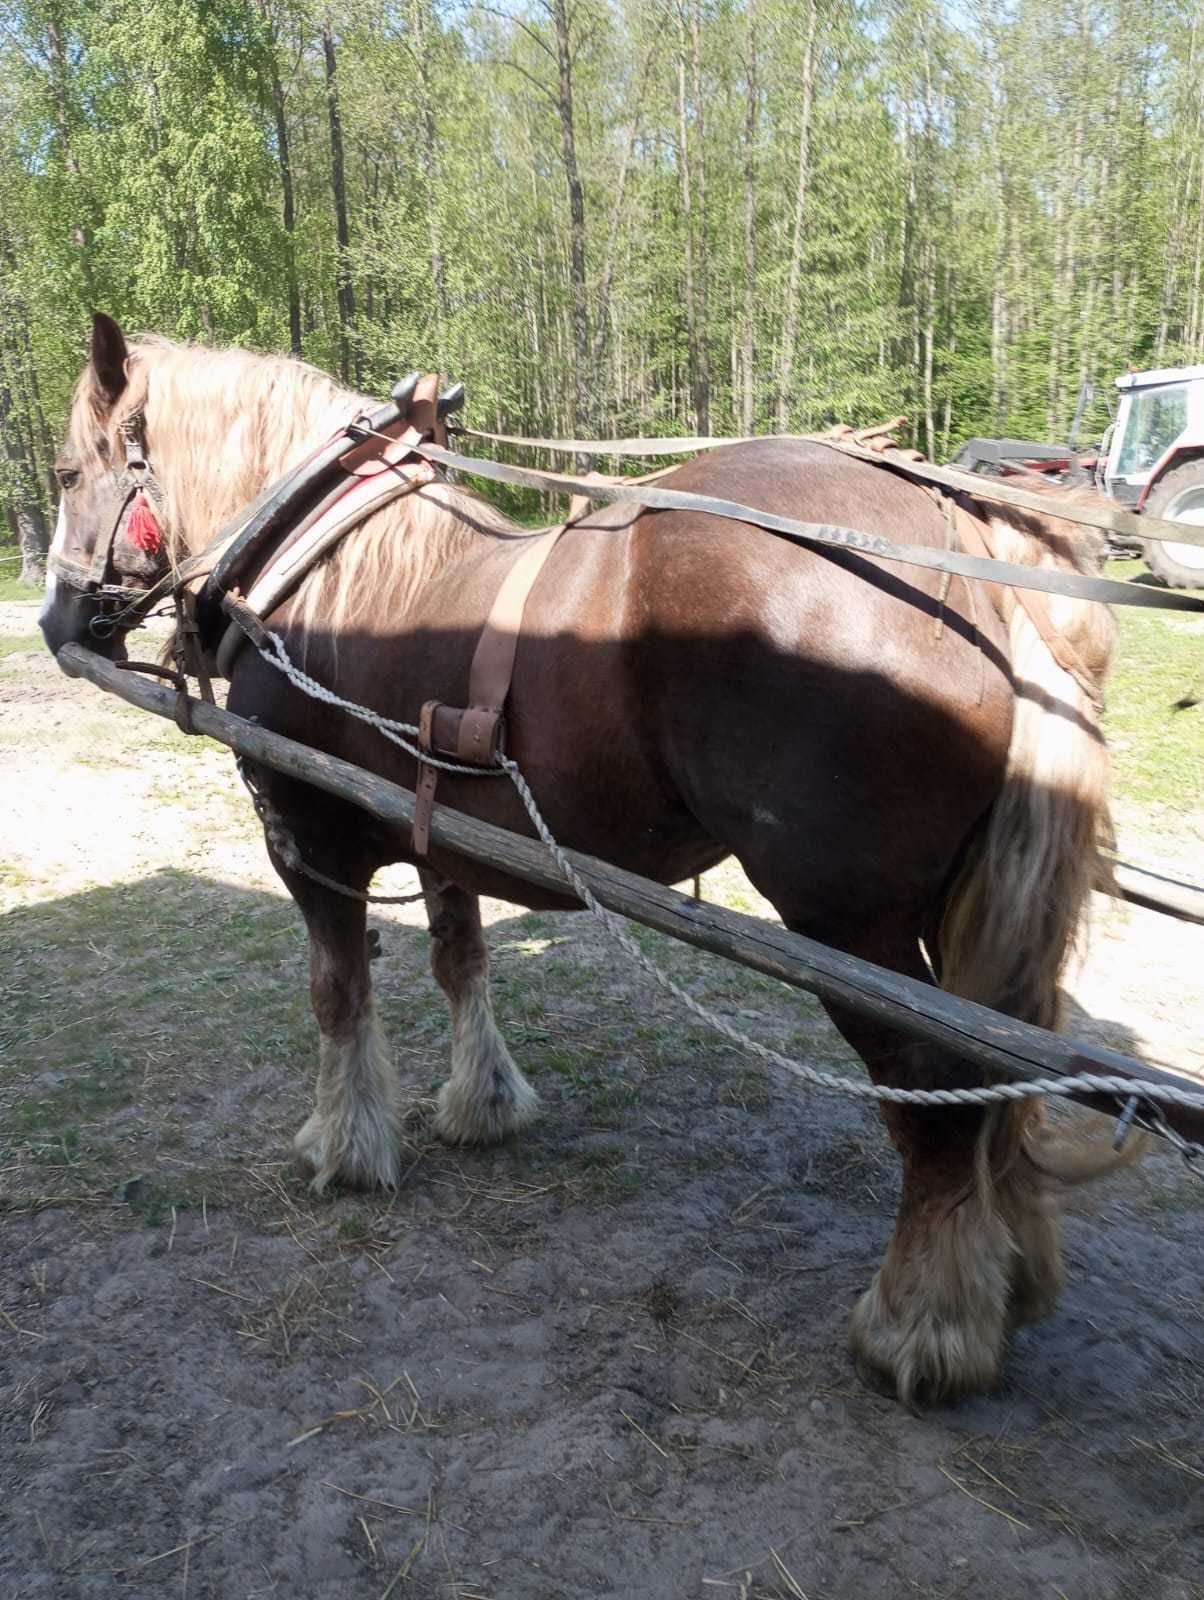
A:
(835, 721)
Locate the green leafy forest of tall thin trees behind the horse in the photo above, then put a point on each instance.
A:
(611, 215)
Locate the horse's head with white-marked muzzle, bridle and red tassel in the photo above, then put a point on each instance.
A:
(110, 546)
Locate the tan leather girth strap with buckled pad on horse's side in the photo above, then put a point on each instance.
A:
(475, 734)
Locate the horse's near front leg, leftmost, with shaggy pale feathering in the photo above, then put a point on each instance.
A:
(353, 1134)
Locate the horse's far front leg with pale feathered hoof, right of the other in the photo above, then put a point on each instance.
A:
(488, 1097)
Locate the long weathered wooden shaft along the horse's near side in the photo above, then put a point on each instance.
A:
(1000, 1044)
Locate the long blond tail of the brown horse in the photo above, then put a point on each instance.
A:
(1019, 905)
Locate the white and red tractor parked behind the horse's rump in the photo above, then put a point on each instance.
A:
(1152, 460)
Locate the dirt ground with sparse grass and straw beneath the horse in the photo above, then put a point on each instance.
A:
(604, 1361)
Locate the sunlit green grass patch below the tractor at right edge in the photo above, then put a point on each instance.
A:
(1155, 718)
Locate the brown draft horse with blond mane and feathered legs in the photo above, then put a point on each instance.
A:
(901, 766)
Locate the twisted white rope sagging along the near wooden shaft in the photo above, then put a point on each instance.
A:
(1035, 1089)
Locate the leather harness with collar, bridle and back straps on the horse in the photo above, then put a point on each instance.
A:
(398, 450)
